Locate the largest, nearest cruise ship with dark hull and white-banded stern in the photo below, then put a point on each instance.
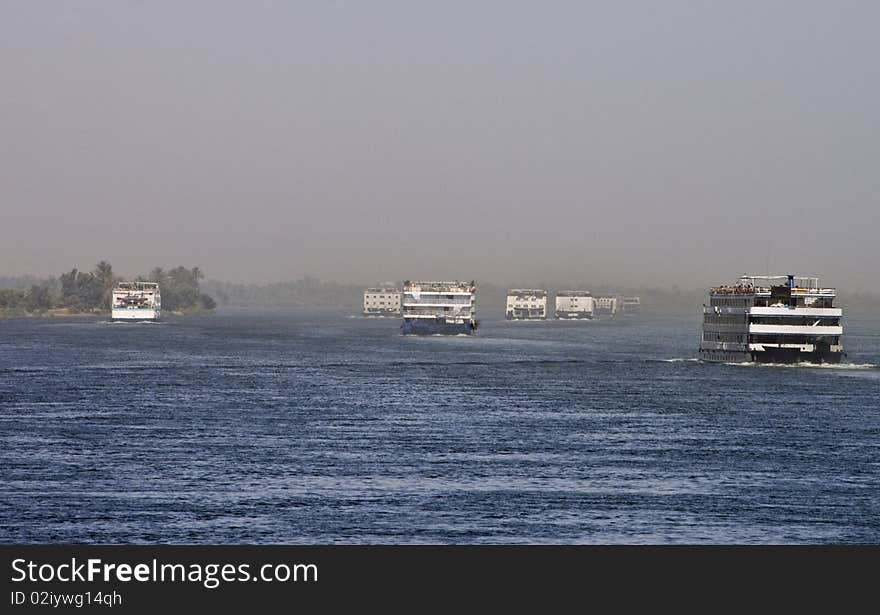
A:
(772, 319)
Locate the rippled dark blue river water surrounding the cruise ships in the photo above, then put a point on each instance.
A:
(302, 427)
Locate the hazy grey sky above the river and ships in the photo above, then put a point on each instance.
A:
(643, 142)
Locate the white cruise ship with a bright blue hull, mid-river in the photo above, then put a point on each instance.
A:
(439, 308)
